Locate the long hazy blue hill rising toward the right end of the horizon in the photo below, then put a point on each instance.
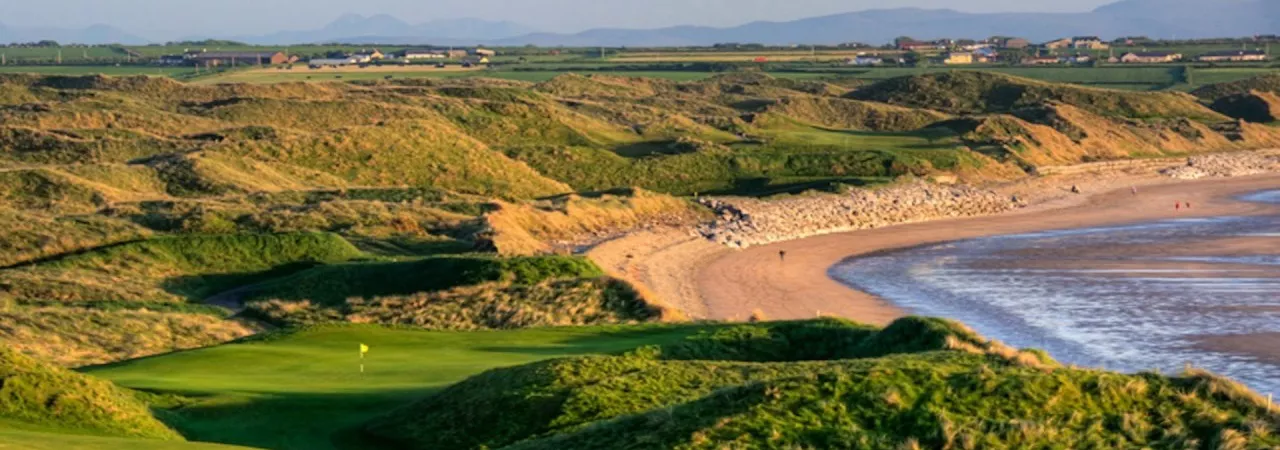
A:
(1156, 19)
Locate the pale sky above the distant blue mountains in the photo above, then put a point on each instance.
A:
(173, 19)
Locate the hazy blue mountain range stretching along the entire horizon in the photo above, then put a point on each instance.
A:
(1154, 19)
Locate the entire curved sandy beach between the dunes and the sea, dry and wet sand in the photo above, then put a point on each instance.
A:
(711, 282)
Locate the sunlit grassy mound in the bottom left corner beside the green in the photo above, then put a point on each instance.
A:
(45, 396)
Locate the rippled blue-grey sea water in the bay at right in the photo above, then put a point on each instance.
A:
(1128, 299)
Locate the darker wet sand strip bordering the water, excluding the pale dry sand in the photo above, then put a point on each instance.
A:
(737, 284)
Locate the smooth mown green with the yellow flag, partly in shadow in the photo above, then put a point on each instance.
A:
(305, 391)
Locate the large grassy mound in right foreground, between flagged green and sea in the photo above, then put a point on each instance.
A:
(830, 385)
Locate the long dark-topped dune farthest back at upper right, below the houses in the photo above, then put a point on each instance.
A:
(979, 93)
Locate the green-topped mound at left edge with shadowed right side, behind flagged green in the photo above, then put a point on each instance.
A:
(172, 269)
